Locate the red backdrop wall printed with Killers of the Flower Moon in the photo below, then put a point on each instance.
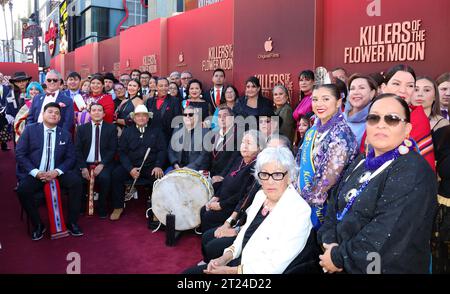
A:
(275, 40)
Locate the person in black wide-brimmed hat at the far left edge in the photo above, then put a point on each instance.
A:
(12, 100)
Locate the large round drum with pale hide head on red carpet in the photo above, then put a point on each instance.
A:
(182, 192)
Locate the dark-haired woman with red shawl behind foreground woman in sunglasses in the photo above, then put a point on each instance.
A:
(400, 80)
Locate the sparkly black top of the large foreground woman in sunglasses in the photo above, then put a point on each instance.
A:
(392, 218)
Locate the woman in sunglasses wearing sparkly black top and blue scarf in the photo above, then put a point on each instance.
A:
(380, 215)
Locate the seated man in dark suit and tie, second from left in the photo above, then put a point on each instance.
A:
(96, 144)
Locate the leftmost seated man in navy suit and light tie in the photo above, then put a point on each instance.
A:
(45, 152)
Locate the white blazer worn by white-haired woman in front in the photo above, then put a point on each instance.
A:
(279, 239)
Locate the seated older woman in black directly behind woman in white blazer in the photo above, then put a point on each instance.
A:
(235, 184)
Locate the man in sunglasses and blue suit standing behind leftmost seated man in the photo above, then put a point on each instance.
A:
(53, 94)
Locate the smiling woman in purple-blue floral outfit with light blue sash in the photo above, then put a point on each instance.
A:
(328, 147)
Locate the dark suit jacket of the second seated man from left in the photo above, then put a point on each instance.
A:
(108, 143)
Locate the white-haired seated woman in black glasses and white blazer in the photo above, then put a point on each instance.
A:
(278, 222)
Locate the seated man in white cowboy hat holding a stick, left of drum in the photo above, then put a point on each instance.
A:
(133, 145)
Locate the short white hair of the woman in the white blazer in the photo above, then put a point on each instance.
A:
(280, 155)
